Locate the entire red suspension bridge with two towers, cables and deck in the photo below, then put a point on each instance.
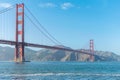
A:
(19, 35)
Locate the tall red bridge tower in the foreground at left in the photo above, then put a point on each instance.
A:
(19, 47)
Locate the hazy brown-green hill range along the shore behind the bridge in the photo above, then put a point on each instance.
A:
(7, 54)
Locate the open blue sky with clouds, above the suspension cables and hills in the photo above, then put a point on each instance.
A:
(75, 22)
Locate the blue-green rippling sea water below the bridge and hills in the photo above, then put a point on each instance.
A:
(60, 71)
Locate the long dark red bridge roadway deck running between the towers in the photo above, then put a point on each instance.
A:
(43, 46)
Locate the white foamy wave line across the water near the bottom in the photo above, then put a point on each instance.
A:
(60, 74)
